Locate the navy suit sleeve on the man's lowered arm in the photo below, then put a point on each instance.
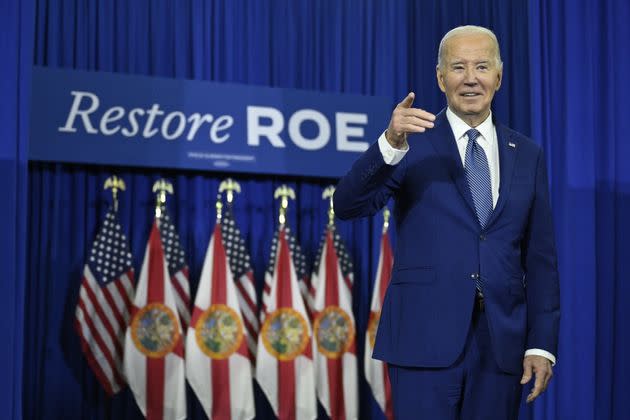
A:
(541, 270)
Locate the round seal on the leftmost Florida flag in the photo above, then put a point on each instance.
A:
(155, 330)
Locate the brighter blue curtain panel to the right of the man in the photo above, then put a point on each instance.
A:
(579, 65)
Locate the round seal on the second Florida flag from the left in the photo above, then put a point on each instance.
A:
(219, 331)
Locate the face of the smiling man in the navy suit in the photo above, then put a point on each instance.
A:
(469, 76)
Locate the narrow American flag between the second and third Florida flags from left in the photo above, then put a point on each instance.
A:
(240, 264)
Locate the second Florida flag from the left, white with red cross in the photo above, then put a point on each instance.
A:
(217, 355)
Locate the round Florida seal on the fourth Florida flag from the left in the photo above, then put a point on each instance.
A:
(334, 332)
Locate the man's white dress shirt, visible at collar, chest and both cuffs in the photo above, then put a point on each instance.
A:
(488, 141)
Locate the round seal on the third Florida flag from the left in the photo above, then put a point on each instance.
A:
(285, 334)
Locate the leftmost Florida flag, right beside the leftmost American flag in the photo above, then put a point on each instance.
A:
(154, 351)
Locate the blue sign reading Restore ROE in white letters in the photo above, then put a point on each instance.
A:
(115, 119)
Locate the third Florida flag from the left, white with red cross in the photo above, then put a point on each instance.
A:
(284, 364)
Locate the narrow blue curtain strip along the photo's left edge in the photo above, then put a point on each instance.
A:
(16, 40)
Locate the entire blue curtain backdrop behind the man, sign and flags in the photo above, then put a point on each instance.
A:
(563, 83)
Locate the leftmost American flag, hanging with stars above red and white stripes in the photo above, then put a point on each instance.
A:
(105, 299)
